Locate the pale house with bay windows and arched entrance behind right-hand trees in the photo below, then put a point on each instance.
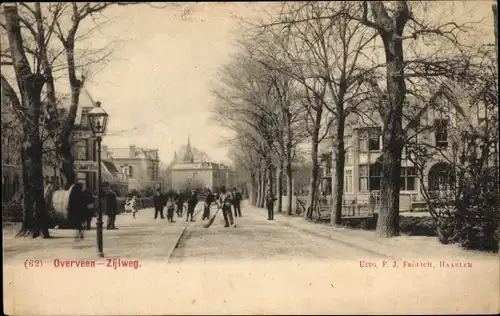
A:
(363, 150)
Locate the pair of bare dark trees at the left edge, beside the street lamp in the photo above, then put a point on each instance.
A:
(44, 47)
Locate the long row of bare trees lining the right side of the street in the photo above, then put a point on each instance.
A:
(314, 68)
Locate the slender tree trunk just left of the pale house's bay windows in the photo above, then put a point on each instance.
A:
(338, 180)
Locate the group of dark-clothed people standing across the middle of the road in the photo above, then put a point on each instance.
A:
(177, 202)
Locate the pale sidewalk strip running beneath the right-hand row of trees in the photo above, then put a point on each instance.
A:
(398, 248)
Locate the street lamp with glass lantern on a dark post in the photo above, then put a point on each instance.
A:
(98, 119)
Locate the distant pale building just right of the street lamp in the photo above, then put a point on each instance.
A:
(139, 165)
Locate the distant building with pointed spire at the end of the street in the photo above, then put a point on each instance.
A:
(195, 170)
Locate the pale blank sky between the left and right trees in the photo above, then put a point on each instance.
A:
(160, 79)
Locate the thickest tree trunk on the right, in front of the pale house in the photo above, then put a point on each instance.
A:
(393, 138)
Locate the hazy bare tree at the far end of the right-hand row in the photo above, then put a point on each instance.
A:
(249, 98)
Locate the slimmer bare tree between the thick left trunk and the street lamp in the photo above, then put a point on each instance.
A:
(67, 22)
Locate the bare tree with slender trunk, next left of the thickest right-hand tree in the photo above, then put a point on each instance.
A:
(336, 54)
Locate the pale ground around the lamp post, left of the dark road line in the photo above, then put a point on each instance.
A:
(140, 238)
